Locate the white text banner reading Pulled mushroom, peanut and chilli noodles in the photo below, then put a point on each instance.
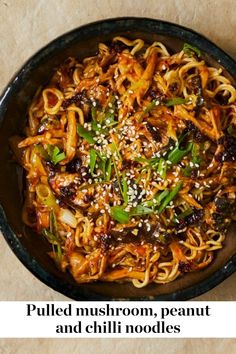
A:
(117, 319)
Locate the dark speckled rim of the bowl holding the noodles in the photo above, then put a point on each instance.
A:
(160, 27)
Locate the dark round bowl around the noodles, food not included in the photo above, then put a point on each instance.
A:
(32, 249)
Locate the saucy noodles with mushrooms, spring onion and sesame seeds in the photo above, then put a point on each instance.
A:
(130, 158)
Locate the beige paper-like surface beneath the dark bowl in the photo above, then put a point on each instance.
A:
(27, 25)
